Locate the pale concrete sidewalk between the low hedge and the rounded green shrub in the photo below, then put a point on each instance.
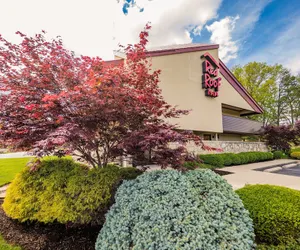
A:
(246, 174)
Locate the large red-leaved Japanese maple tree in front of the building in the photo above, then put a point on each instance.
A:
(54, 102)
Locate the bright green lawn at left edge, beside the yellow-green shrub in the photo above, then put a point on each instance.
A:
(10, 167)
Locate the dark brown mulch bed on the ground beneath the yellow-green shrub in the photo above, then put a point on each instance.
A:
(41, 237)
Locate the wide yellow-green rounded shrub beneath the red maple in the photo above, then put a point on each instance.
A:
(61, 190)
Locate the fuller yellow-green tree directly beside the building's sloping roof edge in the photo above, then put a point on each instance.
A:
(260, 80)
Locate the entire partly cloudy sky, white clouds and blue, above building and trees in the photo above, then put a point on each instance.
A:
(246, 30)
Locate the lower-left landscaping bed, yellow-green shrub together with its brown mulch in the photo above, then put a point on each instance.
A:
(56, 203)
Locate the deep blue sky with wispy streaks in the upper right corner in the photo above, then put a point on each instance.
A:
(262, 26)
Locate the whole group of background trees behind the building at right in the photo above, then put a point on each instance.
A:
(275, 89)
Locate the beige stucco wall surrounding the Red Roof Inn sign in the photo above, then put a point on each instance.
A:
(181, 84)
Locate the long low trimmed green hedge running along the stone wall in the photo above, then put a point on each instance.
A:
(230, 159)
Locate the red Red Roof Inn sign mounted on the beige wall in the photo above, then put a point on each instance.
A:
(210, 80)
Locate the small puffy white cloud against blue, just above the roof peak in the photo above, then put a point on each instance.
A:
(222, 35)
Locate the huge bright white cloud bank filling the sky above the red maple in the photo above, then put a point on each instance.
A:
(95, 27)
